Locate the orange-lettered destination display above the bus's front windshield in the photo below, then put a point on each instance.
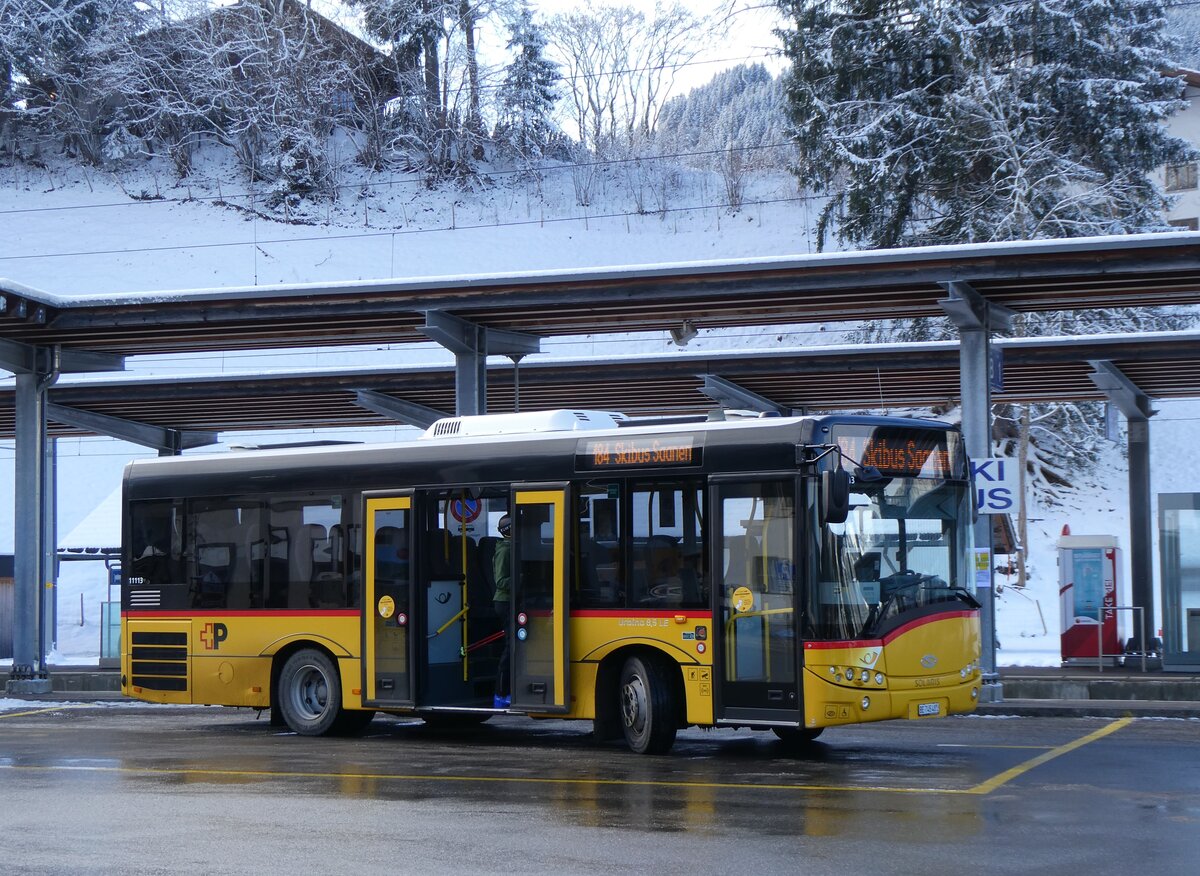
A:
(903, 454)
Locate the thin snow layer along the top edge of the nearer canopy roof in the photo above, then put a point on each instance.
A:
(465, 281)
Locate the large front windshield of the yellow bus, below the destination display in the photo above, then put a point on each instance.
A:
(904, 553)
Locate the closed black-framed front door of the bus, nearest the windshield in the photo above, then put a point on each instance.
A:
(755, 549)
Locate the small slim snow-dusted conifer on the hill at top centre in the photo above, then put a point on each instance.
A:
(529, 94)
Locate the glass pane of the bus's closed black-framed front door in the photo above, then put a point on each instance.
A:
(758, 583)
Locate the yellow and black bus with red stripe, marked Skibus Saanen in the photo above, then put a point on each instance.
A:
(782, 574)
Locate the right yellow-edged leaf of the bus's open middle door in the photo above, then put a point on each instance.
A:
(539, 652)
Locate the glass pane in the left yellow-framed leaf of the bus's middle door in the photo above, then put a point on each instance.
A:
(393, 587)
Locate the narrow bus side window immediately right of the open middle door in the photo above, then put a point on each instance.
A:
(597, 565)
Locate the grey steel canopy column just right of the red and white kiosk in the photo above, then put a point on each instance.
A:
(1137, 409)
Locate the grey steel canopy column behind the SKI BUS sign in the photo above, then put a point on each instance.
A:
(975, 319)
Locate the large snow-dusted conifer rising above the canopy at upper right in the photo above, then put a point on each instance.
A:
(932, 122)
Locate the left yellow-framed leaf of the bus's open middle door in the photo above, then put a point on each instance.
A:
(388, 609)
